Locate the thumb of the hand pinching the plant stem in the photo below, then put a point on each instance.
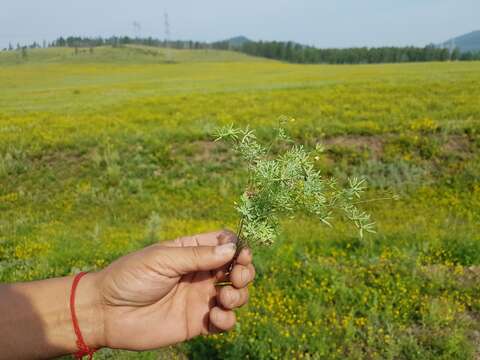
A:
(184, 260)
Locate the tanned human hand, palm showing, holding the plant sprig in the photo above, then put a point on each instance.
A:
(166, 293)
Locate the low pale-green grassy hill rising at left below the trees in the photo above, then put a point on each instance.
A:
(134, 54)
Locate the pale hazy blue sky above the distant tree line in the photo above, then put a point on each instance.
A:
(322, 23)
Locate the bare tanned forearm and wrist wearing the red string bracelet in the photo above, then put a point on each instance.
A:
(35, 320)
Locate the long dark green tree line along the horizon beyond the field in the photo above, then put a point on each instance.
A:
(278, 50)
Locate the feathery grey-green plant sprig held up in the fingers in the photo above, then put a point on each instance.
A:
(285, 184)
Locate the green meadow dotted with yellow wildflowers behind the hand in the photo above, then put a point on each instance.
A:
(104, 153)
